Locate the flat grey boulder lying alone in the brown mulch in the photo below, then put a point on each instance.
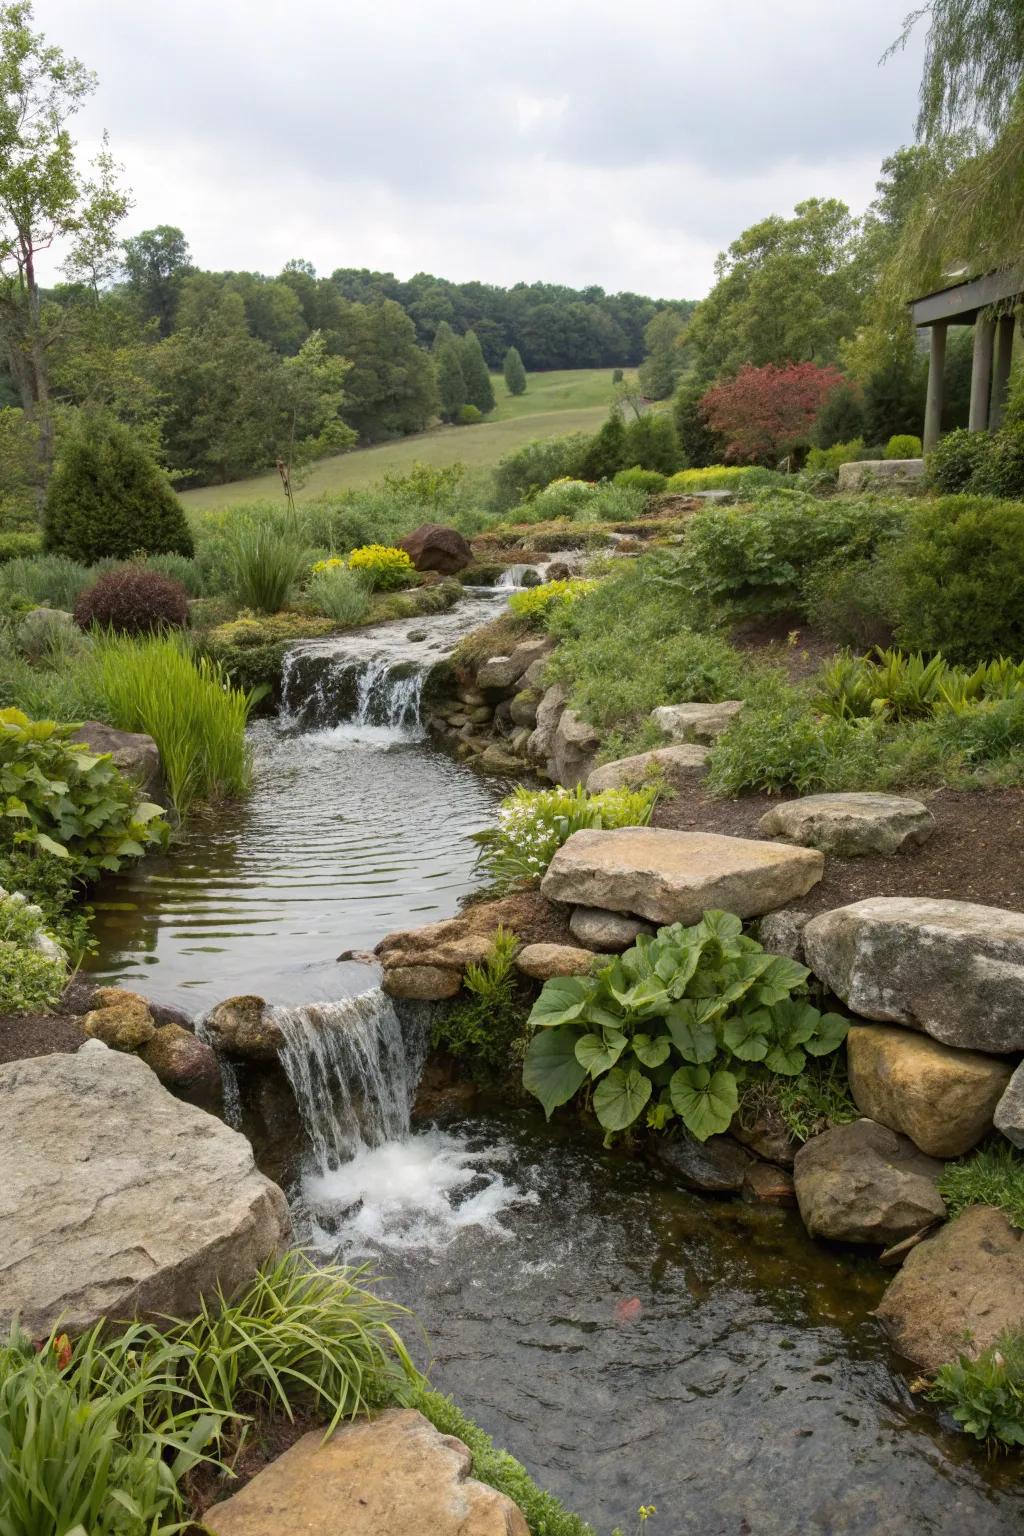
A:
(851, 826)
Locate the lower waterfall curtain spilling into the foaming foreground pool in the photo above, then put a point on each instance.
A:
(354, 1070)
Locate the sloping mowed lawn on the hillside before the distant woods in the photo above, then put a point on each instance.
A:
(570, 400)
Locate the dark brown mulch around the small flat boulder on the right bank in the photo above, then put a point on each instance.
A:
(976, 855)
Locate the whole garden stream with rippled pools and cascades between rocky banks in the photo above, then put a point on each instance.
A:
(629, 1342)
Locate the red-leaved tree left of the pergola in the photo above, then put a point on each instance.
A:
(765, 414)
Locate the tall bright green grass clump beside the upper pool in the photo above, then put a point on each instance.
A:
(187, 704)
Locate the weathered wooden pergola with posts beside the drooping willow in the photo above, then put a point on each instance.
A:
(969, 303)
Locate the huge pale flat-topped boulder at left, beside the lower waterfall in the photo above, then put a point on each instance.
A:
(119, 1200)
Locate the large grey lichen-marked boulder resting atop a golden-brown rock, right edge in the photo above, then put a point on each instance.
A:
(954, 970)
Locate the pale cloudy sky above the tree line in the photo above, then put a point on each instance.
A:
(566, 141)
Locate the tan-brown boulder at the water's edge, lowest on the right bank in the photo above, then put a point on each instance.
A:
(959, 1291)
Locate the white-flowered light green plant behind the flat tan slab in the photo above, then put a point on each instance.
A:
(533, 824)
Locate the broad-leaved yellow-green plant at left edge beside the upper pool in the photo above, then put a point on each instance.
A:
(70, 803)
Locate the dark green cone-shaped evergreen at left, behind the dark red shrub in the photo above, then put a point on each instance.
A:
(108, 498)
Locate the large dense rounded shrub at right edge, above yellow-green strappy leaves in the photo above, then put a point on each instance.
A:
(962, 578)
